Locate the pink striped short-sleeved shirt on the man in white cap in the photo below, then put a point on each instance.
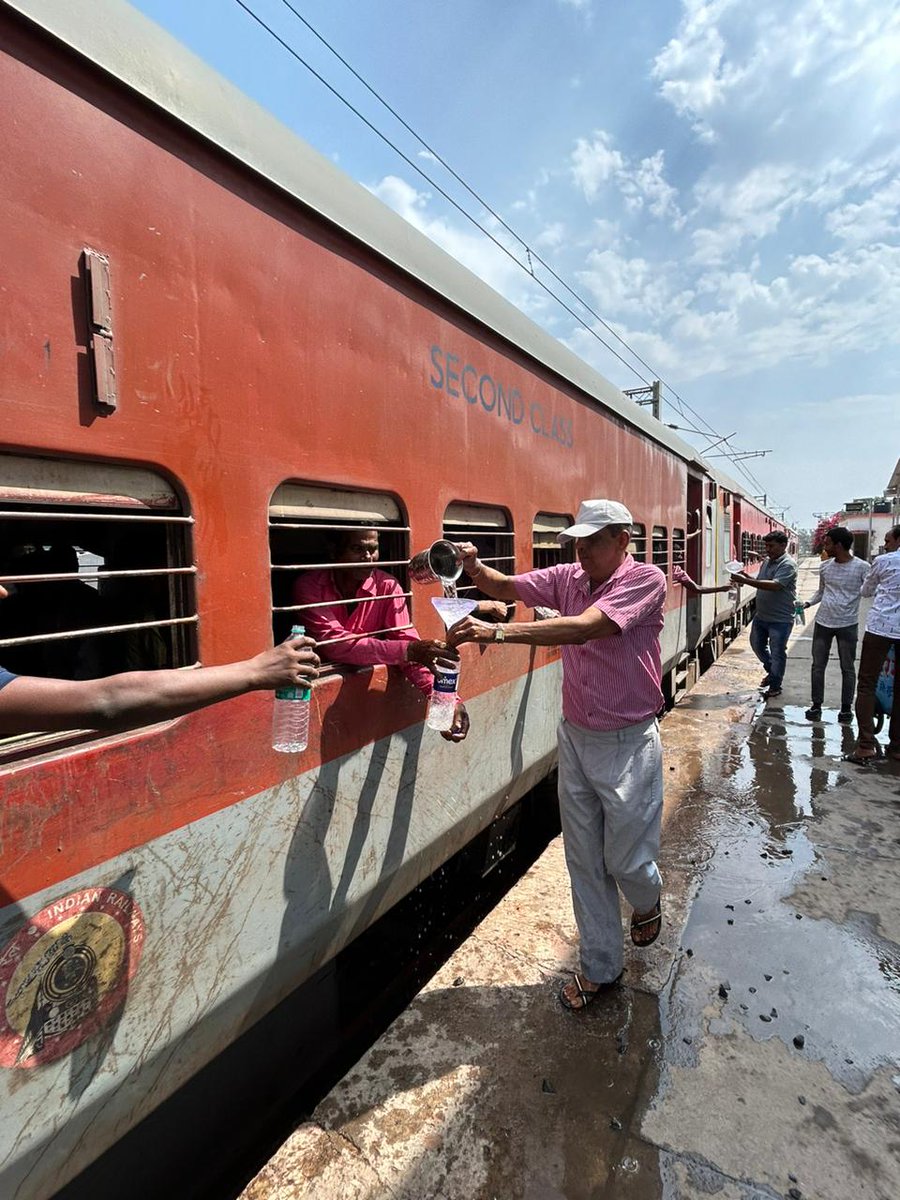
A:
(610, 682)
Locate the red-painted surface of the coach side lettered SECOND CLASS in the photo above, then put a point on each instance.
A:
(292, 355)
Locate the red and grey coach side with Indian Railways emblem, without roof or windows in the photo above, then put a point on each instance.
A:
(188, 873)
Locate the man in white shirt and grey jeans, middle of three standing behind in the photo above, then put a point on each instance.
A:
(841, 579)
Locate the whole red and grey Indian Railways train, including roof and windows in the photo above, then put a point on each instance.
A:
(219, 353)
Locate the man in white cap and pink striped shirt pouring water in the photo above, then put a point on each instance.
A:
(610, 757)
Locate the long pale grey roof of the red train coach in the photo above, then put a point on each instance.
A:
(140, 55)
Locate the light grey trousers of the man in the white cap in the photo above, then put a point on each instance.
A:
(611, 809)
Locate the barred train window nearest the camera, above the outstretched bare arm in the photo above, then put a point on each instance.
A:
(99, 566)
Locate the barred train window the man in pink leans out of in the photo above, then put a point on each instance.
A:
(310, 525)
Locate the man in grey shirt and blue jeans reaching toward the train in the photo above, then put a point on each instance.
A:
(777, 596)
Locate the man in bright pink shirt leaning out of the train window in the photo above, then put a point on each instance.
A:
(362, 619)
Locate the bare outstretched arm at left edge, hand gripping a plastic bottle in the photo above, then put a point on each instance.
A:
(32, 704)
